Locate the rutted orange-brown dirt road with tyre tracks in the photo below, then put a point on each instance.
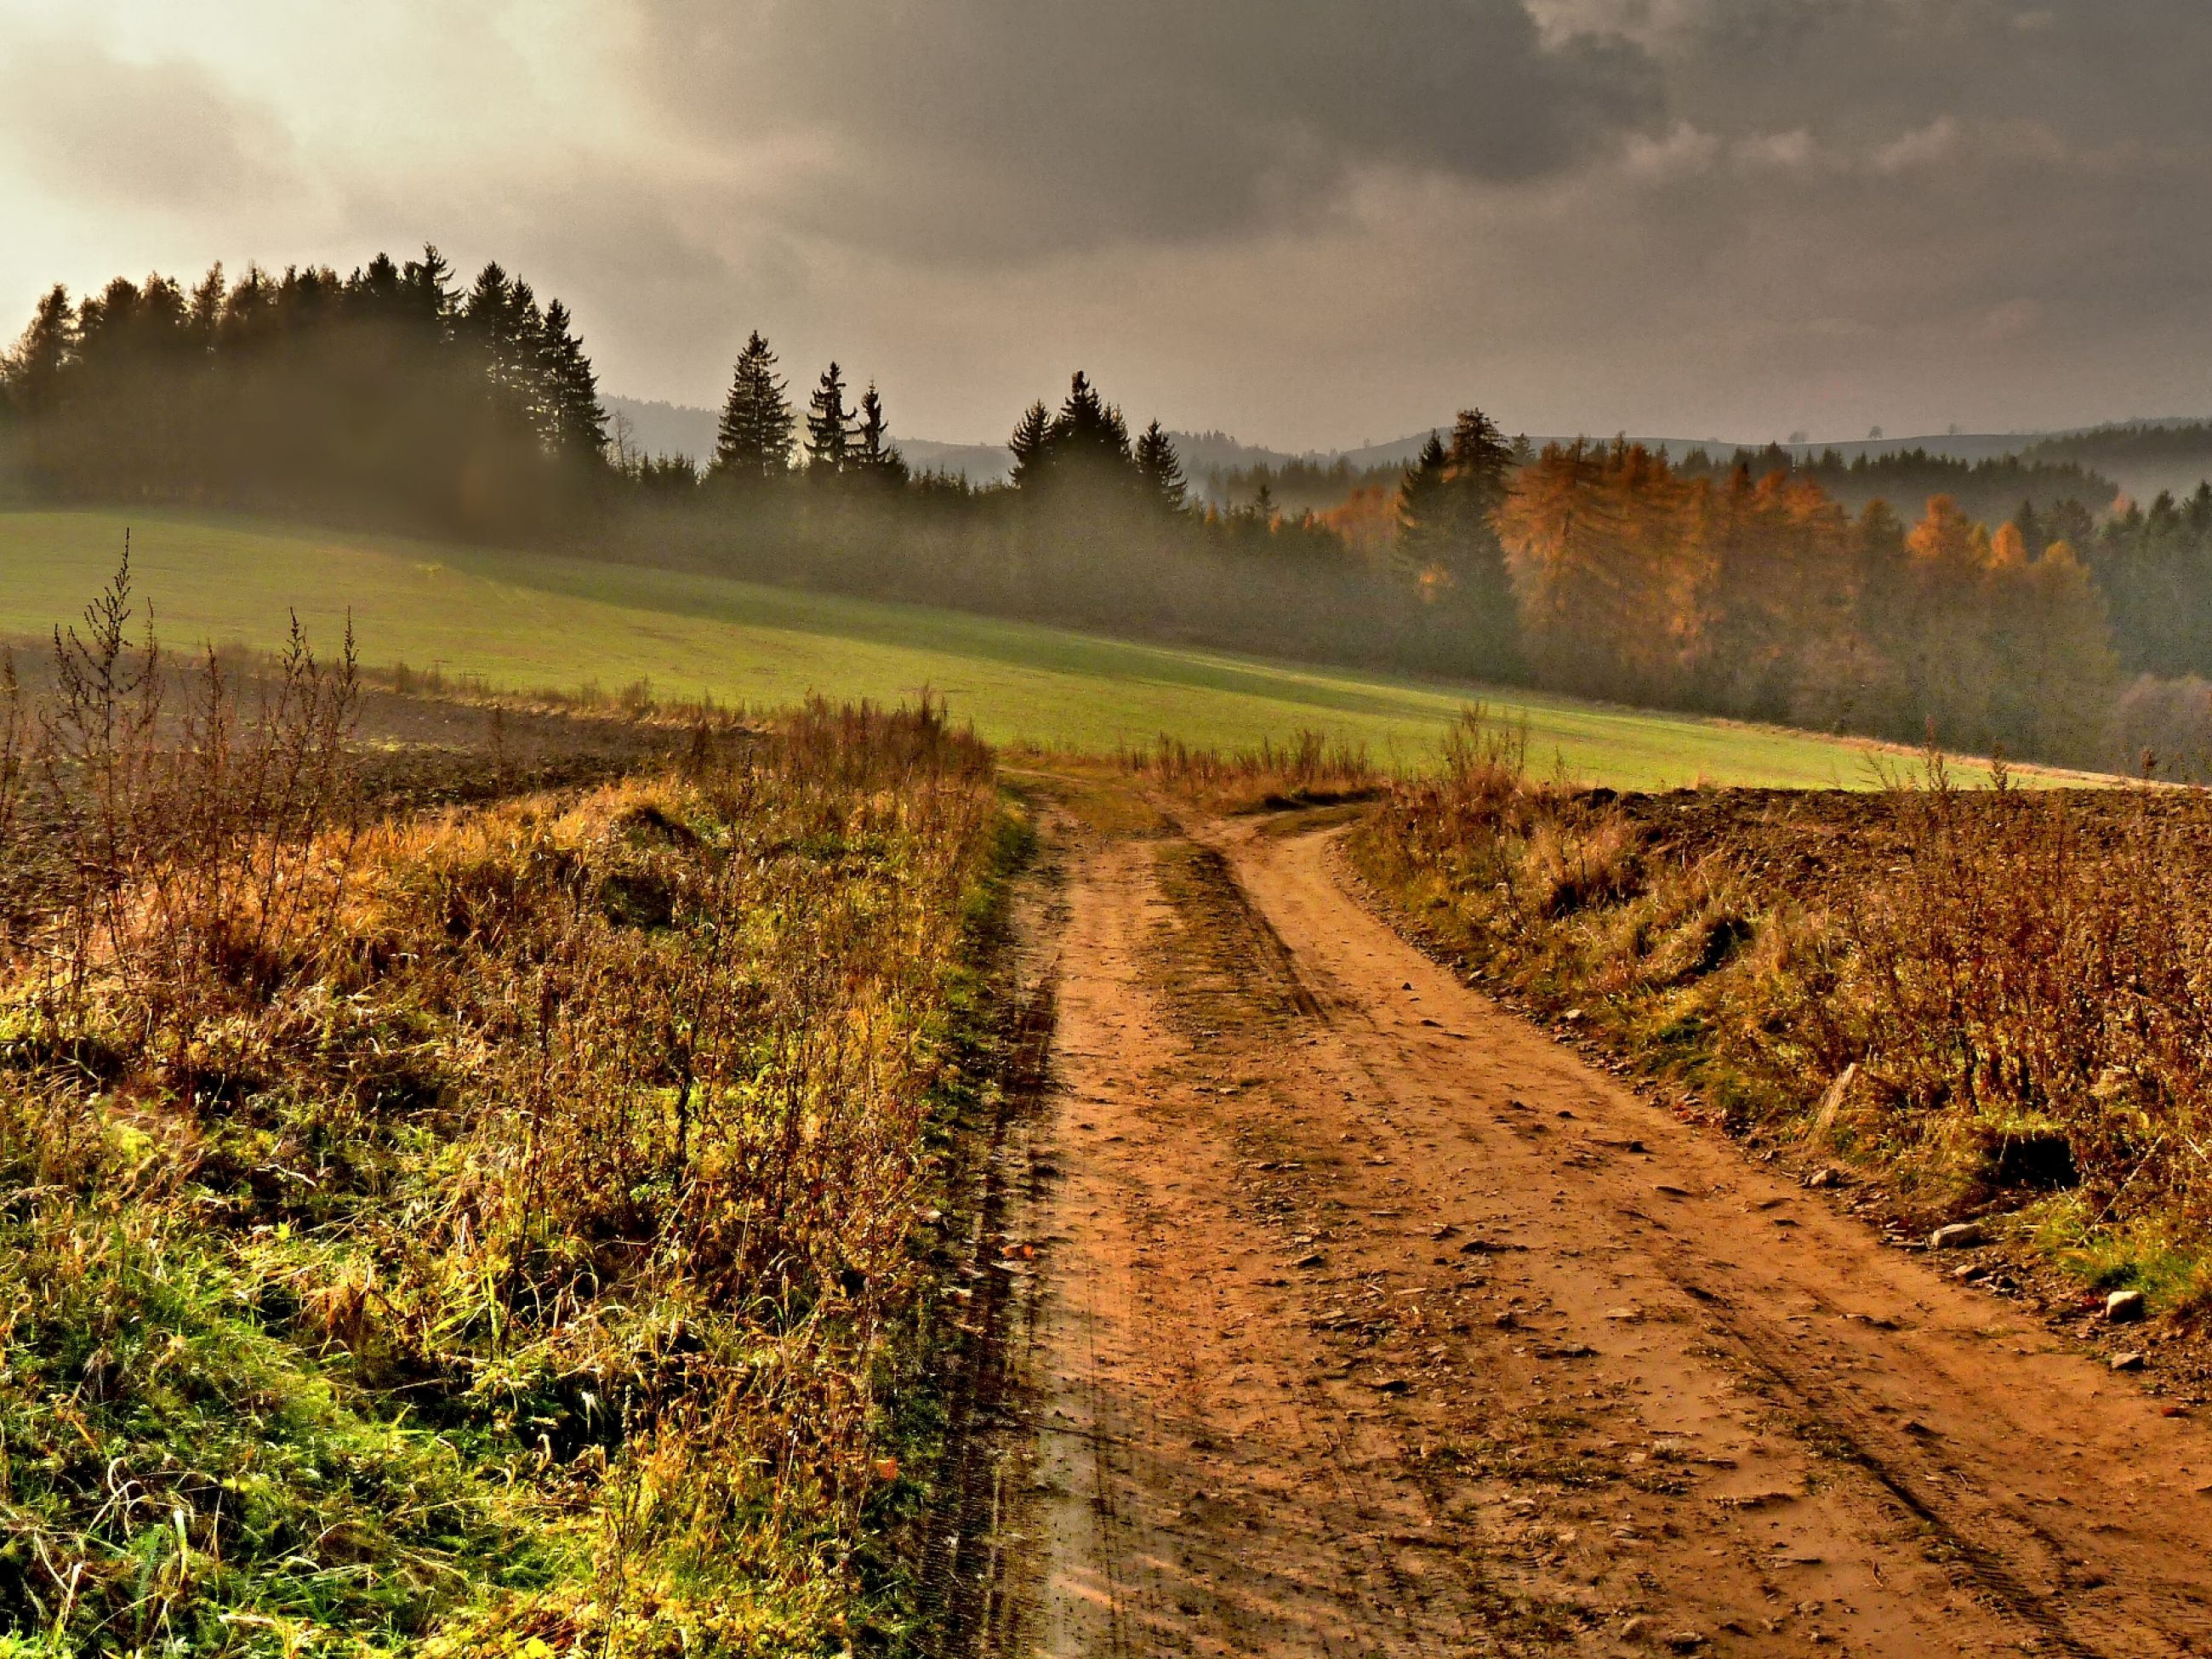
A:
(1366, 1319)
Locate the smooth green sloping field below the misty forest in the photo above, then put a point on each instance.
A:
(536, 620)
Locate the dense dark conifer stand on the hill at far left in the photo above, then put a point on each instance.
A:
(384, 393)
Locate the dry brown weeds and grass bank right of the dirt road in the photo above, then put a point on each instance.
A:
(1996, 1003)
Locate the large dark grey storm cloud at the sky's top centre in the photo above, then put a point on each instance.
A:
(1010, 127)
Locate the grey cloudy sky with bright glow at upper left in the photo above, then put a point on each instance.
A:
(1308, 222)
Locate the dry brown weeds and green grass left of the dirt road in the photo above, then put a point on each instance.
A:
(494, 1229)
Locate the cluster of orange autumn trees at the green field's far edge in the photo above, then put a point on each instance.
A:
(1762, 598)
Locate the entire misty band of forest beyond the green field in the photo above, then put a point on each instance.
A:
(2005, 603)
